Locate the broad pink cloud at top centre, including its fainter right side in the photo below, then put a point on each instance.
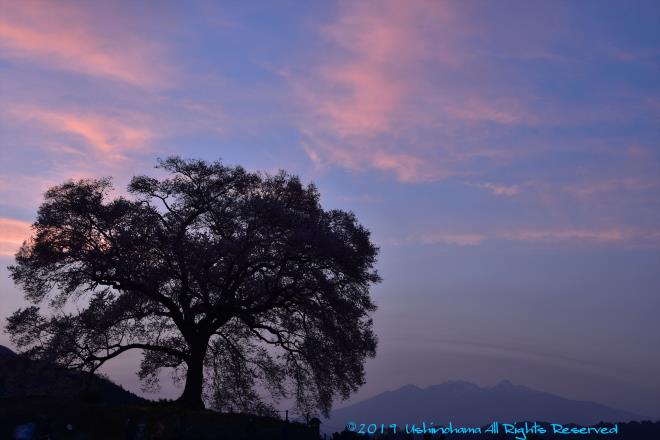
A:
(392, 71)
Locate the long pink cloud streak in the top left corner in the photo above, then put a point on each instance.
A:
(67, 37)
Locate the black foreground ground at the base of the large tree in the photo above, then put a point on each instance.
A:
(108, 421)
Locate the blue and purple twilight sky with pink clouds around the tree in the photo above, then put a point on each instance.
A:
(505, 156)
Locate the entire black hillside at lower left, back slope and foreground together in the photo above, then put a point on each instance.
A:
(49, 396)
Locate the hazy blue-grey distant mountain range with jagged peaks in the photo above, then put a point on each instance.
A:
(465, 403)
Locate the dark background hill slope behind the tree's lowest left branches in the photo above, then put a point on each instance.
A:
(23, 377)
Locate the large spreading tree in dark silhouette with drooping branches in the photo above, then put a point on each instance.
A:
(239, 282)
